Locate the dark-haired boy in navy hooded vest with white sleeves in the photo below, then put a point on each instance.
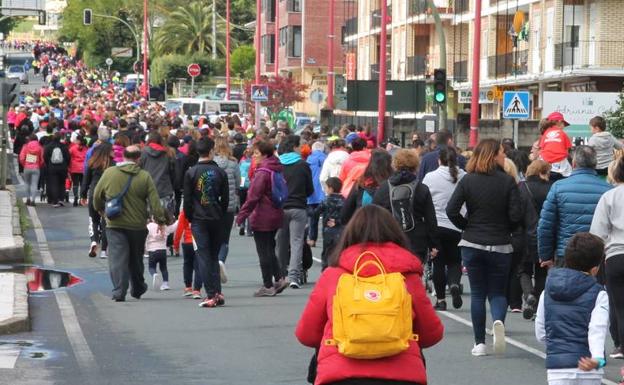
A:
(573, 316)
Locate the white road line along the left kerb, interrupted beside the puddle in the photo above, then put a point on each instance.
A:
(82, 352)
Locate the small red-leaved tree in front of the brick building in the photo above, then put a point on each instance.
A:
(283, 92)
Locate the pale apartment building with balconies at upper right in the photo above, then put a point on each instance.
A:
(535, 45)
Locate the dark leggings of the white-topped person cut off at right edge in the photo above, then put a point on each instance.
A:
(615, 289)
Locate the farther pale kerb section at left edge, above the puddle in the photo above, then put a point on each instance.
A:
(12, 242)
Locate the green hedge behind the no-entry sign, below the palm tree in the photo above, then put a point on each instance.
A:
(173, 66)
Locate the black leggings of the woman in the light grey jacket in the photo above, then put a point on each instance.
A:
(447, 265)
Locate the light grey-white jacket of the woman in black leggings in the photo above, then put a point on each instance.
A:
(441, 186)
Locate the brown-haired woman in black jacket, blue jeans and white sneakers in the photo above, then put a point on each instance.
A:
(492, 210)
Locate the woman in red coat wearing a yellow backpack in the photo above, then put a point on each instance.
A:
(368, 315)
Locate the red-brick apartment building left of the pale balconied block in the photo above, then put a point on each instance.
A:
(303, 28)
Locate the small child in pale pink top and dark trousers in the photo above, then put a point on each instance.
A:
(156, 247)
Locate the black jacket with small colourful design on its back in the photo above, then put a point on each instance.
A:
(206, 192)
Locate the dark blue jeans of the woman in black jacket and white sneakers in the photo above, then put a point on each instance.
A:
(487, 273)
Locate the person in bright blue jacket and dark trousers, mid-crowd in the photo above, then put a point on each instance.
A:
(315, 161)
